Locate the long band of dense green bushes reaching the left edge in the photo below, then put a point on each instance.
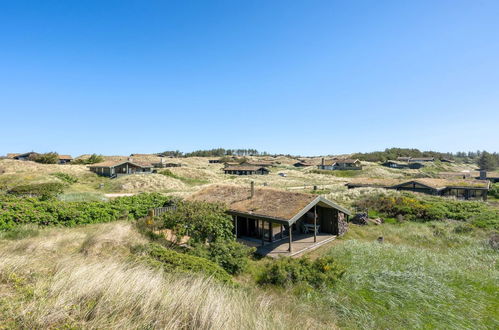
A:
(22, 210)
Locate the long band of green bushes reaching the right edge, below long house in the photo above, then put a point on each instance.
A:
(414, 208)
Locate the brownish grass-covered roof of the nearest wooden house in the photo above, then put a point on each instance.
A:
(266, 202)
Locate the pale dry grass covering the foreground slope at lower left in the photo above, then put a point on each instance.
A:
(83, 278)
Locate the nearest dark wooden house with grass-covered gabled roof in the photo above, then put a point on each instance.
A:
(268, 215)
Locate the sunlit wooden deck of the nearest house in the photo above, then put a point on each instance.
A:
(301, 244)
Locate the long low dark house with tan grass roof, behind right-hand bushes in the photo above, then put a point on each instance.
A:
(461, 189)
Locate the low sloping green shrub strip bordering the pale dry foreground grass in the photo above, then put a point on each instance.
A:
(173, 261)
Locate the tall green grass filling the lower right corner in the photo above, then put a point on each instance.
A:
(423, 276)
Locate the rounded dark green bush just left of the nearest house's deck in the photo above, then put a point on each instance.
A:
(230, 255)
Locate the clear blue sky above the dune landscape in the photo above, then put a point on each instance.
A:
(299, 77)
